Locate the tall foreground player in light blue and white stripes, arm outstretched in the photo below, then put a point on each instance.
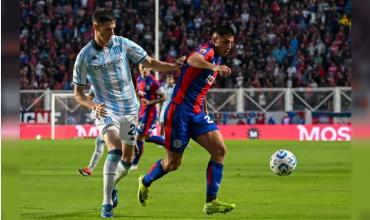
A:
(104, 61)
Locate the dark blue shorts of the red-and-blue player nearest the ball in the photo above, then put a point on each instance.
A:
(181, 124)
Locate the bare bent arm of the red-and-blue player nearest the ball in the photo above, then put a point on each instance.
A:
(198, 61)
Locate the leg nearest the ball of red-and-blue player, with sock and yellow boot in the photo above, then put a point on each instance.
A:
(213, 142)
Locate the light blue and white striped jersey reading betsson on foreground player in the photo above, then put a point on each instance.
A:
(108, 71)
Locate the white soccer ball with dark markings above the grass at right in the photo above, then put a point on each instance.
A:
(283, 162)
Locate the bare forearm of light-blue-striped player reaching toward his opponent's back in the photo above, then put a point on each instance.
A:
(161, 66)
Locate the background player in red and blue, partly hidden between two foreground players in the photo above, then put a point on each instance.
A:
(150, 93)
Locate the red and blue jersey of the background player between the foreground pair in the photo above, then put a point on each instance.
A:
(147, 87)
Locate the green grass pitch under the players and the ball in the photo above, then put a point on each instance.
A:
(319, 188)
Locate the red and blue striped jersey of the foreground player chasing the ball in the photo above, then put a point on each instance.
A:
(193, 83)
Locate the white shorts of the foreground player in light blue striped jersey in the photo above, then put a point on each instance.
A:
(124, 125)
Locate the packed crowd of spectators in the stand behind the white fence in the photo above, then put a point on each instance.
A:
(280, 43)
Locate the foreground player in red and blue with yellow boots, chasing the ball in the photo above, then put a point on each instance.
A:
(185, 118)
